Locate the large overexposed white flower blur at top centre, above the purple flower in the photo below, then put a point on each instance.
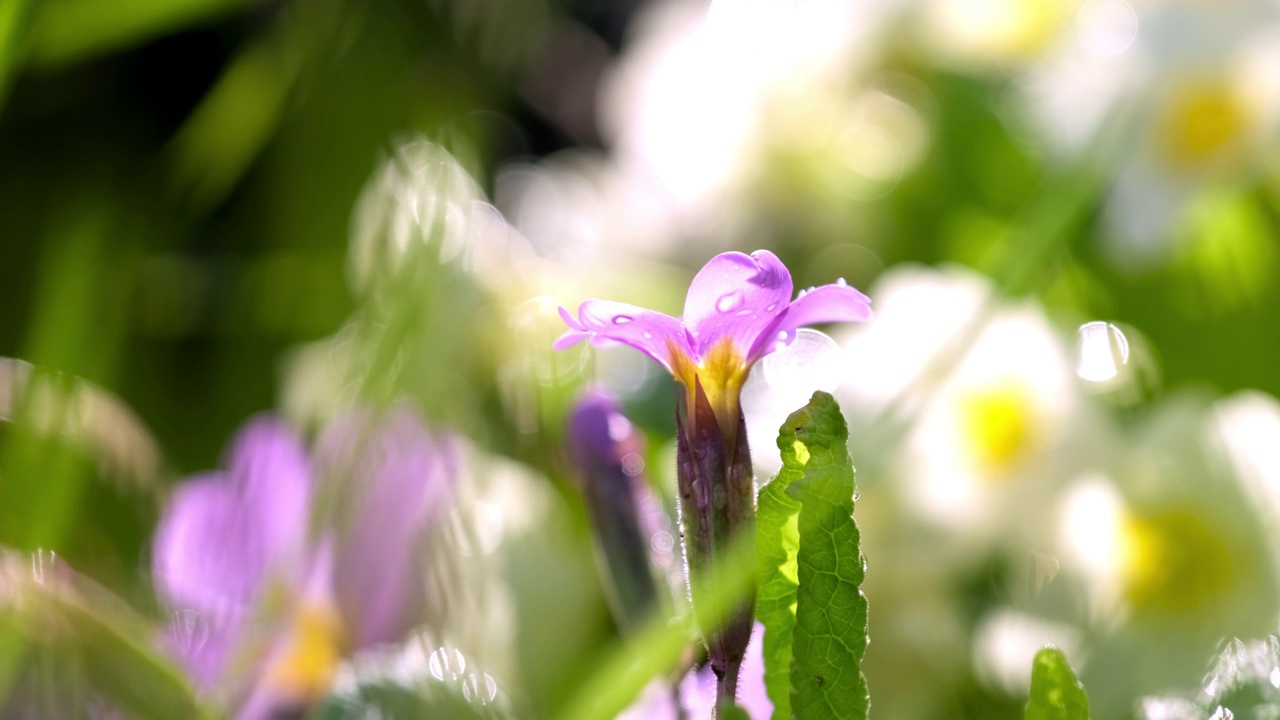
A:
(703, 94)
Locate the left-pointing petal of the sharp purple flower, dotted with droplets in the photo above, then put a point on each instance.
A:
(648, 331)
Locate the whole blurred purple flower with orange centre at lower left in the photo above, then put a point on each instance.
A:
(268, 603)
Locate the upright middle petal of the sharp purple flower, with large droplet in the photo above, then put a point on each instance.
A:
(737, 297)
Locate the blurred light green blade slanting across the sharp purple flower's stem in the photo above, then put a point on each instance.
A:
(656, 650)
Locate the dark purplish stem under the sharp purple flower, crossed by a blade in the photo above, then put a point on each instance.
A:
(717, 504)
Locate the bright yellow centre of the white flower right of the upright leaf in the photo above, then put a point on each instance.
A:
(999, 426)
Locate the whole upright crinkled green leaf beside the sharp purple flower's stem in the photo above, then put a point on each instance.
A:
(812, 569)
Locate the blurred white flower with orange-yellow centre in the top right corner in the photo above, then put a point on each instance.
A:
(1208, 83)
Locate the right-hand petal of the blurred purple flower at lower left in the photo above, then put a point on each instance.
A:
(399, 484)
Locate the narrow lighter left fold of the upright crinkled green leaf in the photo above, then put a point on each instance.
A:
(778, 536)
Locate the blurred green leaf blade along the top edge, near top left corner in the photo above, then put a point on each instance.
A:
(67, 31)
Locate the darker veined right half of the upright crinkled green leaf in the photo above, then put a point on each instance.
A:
(830, 636)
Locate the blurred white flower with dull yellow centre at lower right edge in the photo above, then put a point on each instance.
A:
(1176, 546)
